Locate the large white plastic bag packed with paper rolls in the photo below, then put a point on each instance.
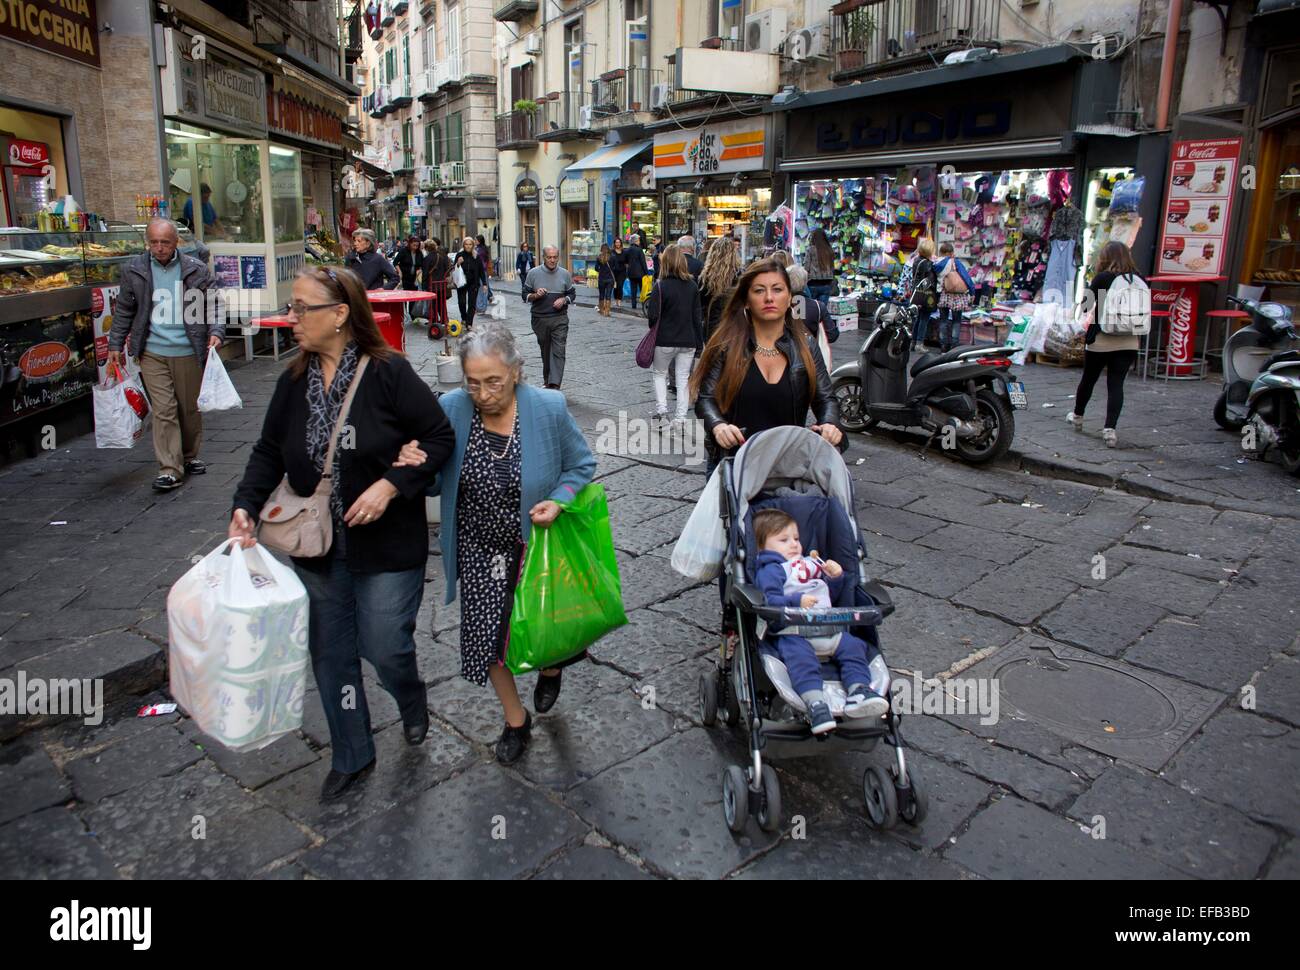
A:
(237, 627)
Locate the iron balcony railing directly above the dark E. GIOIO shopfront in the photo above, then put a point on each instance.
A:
(881, 36)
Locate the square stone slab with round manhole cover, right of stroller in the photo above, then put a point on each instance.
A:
(1102, 704)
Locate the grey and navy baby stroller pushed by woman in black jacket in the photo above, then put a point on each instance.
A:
(801, 474)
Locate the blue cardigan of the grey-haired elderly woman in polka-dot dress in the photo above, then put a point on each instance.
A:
(556, 462)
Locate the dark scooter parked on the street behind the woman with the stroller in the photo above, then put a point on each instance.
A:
(969, 389)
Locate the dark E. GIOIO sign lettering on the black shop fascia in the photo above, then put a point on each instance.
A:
(878, 129)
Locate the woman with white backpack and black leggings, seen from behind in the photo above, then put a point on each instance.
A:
(1117, 282)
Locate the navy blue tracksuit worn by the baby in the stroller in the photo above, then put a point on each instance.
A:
(785, 583)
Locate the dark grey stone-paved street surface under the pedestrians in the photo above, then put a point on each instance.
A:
(1151, 761)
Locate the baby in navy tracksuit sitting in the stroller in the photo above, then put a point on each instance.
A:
(791, 579)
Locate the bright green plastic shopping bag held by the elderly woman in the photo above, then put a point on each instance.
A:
(569, 594)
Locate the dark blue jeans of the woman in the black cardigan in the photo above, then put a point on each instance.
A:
(356, 616)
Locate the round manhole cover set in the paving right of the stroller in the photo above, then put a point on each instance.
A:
(1081, 696)
